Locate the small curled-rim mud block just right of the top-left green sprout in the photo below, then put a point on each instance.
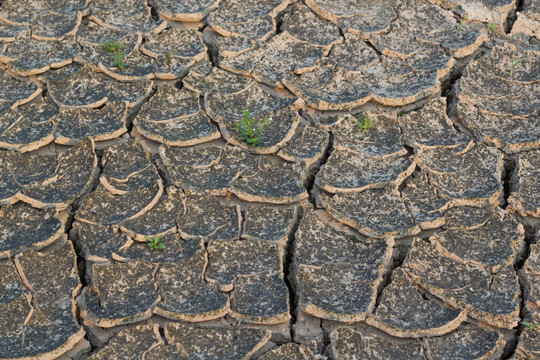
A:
(137, 67)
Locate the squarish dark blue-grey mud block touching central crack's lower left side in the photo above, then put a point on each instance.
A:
(260, 299)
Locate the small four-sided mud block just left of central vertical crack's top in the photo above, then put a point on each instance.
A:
(269, 223)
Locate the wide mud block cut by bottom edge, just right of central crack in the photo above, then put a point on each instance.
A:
(348, 344)
